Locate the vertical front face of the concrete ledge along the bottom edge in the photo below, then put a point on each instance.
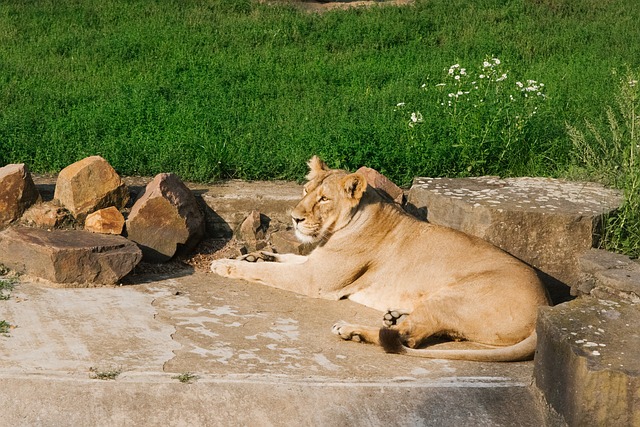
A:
(219, 402)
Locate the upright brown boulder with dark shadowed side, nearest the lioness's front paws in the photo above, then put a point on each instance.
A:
(165, 219)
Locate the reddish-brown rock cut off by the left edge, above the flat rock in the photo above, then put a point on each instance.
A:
(17, 192)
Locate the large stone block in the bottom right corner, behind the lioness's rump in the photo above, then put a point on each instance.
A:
(587, 363)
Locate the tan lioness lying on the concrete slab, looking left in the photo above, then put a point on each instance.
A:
(427, 279)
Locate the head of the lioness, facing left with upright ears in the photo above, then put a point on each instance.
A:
(331, 197)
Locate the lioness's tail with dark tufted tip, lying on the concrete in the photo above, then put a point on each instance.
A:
(391, 343)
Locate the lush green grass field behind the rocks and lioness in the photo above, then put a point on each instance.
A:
(214, 89)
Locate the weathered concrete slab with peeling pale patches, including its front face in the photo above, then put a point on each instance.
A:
(261, 357)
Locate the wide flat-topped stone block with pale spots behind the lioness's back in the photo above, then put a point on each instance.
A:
(545, 222)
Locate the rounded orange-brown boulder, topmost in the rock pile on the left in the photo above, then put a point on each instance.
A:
(88, 185)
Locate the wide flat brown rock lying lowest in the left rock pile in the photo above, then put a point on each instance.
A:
(73, 258)
